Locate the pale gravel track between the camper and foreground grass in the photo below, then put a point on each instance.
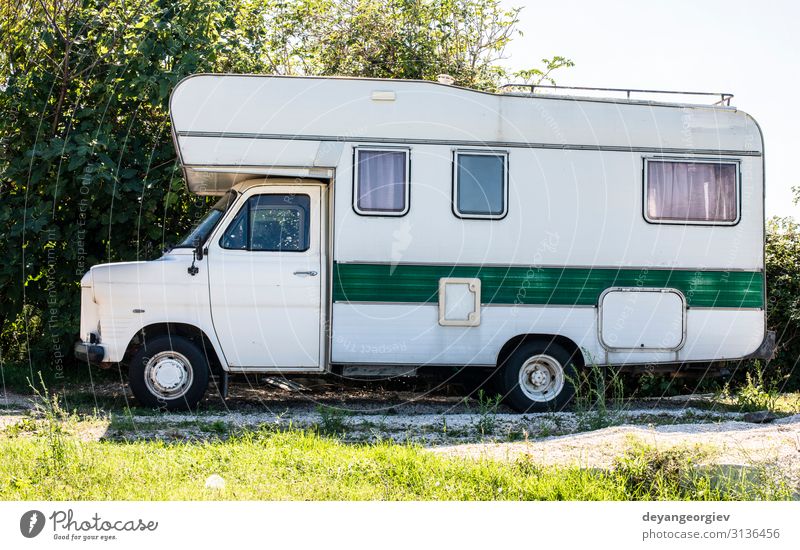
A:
(447, 425)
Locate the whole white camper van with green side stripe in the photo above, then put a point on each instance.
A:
(377, 226)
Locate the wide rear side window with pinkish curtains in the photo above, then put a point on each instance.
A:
(686, 191)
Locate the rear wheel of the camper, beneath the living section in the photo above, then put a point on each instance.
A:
(537, 377)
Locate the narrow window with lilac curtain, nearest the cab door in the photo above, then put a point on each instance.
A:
(381, 181)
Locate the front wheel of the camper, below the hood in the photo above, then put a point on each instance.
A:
(169, 372)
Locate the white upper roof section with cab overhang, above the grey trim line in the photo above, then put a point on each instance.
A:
(350, 109)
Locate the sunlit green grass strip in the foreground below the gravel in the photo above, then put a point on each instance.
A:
(298, 465)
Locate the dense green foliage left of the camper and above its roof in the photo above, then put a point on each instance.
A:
(88, 172)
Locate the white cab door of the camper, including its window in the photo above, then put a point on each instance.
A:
(265, 272)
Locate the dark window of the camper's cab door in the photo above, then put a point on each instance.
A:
(271, 223)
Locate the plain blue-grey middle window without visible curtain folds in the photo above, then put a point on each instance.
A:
(481, 185)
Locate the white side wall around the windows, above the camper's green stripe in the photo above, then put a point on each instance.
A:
(566, 208)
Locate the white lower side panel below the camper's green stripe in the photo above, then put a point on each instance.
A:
(408, 334)
